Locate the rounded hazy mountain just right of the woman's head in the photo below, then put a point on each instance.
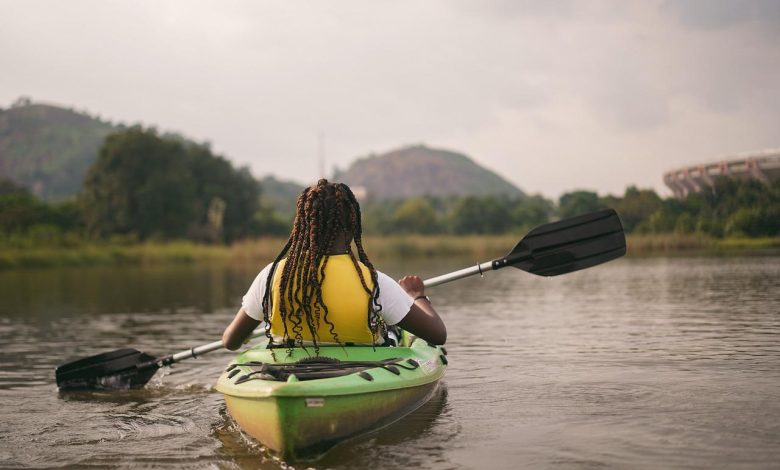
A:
(419, 170)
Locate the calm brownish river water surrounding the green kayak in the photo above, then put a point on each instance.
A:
(640, 363)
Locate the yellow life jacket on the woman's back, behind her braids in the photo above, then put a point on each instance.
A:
(342, 293)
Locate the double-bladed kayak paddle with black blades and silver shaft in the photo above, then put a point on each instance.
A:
(548, 250)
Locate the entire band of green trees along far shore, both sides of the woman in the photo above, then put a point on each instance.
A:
(145, 186)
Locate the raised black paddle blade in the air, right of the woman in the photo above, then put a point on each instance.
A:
(569, 245)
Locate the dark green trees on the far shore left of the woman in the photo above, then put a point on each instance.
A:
(144, 186)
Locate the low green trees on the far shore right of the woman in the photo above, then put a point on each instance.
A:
(733, 207)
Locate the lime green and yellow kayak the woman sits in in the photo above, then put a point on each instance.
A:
(298, 405)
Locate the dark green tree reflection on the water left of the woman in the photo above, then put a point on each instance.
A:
(80, 291)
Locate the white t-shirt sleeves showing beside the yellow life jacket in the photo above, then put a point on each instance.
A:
(393, 298)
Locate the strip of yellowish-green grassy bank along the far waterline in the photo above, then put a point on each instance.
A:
(258, 251)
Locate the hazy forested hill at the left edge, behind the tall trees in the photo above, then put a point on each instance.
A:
(47, 148)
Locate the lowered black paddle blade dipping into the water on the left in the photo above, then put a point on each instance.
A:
(119, 369)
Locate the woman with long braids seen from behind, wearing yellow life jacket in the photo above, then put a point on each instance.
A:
(316, 291)
